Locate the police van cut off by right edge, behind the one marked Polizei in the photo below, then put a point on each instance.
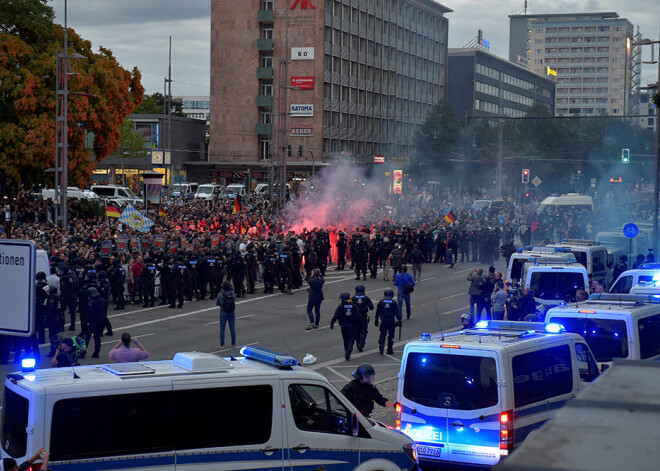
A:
(614, 326)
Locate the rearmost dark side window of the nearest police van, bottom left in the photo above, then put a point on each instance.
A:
(90, 427)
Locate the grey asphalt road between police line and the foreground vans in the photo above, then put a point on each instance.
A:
(278, 322)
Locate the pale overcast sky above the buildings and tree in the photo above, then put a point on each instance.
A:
(138, 31)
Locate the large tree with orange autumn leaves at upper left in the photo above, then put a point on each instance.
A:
(101, 95)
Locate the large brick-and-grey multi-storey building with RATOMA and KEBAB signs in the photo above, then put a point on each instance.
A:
(342, 78)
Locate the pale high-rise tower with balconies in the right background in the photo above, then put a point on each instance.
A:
(590, 53)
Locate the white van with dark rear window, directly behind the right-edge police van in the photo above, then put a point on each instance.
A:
(554, 281)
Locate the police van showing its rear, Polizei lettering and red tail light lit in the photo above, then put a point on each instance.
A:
(471, 397)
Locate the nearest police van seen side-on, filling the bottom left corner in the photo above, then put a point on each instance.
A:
(195, 412)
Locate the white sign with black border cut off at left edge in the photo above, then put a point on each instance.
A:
(17, 284)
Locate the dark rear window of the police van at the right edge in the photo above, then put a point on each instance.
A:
(607, 338)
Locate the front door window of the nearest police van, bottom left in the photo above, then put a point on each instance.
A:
(315, 409)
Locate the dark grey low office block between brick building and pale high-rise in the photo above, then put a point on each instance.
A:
(481, 84)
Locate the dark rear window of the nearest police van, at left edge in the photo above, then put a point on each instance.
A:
(14, 423)
